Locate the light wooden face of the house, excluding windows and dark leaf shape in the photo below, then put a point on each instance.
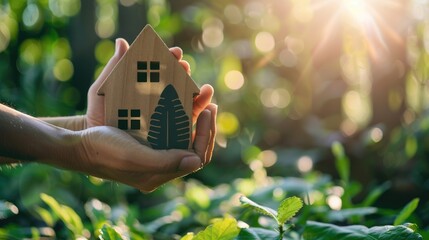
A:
(122, 90)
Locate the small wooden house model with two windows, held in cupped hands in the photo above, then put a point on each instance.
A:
(150, 95)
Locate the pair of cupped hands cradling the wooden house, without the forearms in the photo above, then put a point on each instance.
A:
(113, 154)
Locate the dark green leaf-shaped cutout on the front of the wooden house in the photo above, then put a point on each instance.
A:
(169, 125)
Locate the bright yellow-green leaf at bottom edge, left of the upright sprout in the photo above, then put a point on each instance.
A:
(223, 229)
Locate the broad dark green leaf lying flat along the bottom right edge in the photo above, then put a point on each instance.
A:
(323, 231)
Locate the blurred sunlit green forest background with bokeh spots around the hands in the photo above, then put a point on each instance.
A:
(292, 78)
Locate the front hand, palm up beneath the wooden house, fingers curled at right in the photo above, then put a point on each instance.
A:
(110, 153)
